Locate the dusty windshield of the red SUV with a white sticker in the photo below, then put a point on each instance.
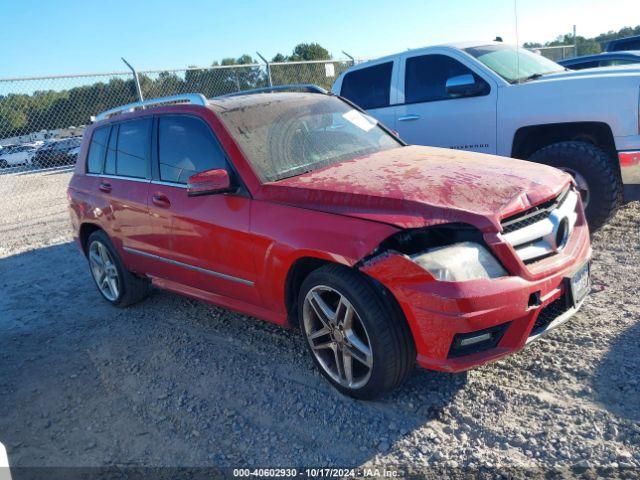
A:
(287, 134)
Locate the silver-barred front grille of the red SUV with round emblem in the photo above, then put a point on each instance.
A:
(543, 230)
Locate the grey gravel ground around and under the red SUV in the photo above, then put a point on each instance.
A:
(176, 382)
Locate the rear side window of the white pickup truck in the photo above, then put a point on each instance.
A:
(368, 87)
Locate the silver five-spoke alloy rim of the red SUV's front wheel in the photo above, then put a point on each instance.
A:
(337, 336)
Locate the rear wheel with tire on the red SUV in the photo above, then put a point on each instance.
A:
(130, 288)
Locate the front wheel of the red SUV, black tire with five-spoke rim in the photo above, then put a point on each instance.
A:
(377, 323)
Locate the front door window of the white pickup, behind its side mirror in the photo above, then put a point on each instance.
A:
(426, 78)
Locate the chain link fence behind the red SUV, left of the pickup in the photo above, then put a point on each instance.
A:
(42, 120)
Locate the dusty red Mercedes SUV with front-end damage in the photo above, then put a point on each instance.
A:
(298, 208)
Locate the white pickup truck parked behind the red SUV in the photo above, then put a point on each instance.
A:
(493, 98)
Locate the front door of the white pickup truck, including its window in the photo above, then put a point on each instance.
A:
(427, 115)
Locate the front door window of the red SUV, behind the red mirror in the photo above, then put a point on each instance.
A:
(186, 146)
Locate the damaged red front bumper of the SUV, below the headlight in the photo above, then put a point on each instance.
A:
(460, 325)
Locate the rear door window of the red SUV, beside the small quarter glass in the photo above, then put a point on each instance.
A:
(133, 148)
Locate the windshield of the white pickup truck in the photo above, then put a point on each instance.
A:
(514, 65)
